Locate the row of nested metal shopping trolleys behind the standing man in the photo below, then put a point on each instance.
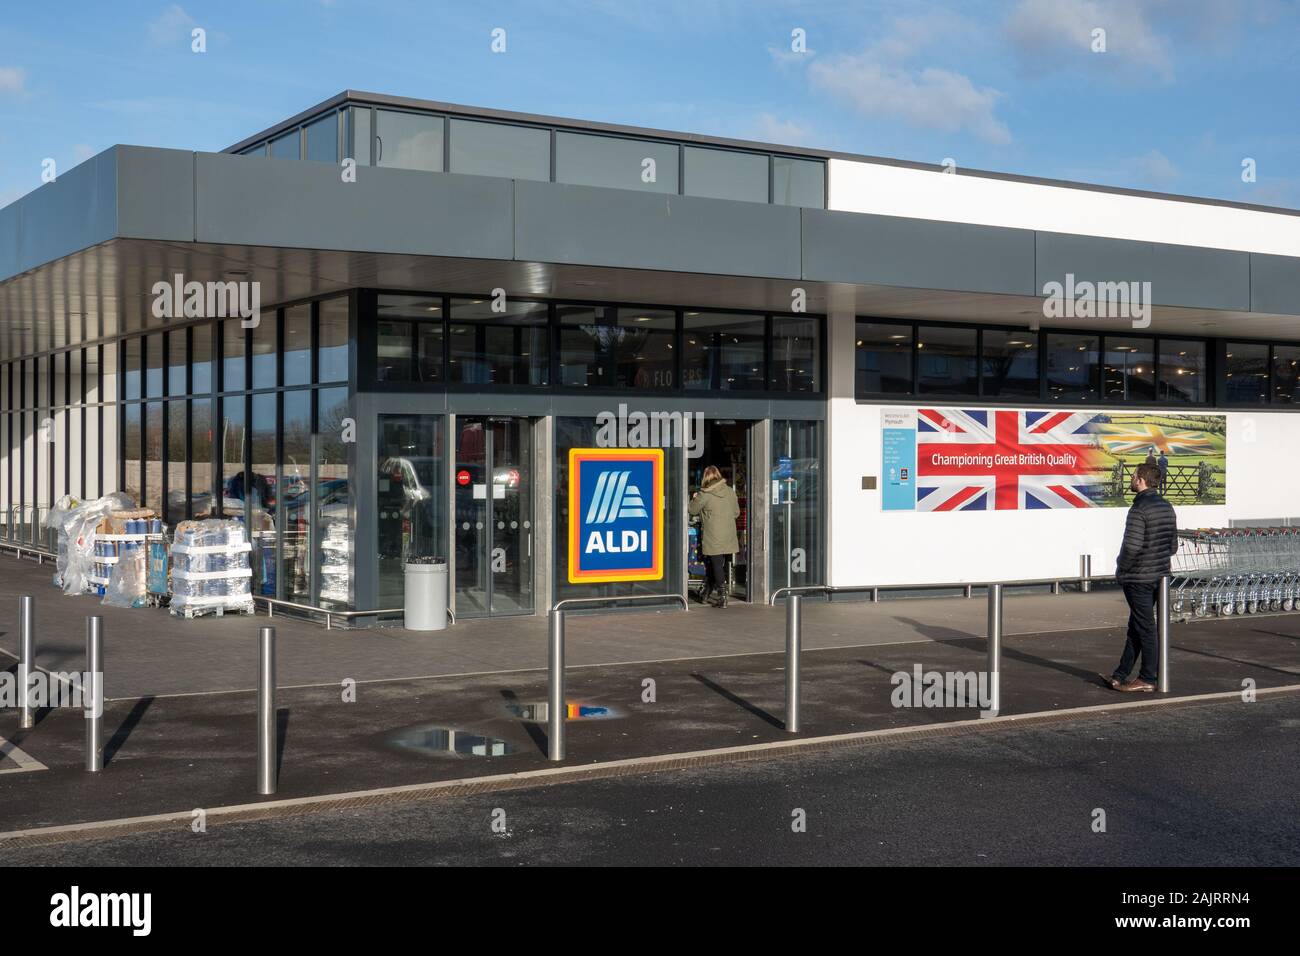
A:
(1227, 572)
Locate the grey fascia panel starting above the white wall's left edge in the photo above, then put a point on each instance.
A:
(917, 254)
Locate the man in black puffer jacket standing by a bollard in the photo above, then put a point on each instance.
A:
(1151, 540)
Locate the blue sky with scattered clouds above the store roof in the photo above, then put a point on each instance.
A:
(1185, 92)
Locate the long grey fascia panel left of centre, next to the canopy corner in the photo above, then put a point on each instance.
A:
(305, 205)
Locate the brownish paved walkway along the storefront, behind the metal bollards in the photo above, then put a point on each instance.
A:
(150, 654)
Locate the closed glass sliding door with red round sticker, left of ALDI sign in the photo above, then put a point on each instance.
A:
(495, 517)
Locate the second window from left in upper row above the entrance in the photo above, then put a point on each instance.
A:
(508, 348)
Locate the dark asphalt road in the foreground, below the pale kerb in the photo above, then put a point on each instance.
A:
(1210, 785)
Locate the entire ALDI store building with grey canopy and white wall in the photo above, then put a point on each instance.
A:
(414, 330)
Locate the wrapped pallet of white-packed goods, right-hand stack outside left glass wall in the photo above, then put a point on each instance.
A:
(211, 573)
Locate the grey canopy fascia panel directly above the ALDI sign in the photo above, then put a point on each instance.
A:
(622, 228)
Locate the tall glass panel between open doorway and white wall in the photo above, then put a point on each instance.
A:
(799, 544)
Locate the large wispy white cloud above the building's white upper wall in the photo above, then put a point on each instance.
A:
(882, 83)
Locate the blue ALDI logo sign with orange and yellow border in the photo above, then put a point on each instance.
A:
(616, 516)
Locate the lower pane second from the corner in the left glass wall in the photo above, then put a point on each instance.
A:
(293, 498)
